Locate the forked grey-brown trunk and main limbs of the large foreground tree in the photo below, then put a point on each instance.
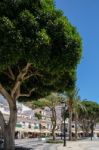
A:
(9, 128)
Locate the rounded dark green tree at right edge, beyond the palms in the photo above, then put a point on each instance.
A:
(90, 117)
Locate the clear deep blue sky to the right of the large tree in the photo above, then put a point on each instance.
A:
(84, 14)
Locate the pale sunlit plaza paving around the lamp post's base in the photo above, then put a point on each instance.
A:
(75, 145)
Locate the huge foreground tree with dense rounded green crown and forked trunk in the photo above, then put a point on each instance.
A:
(39, 53)
